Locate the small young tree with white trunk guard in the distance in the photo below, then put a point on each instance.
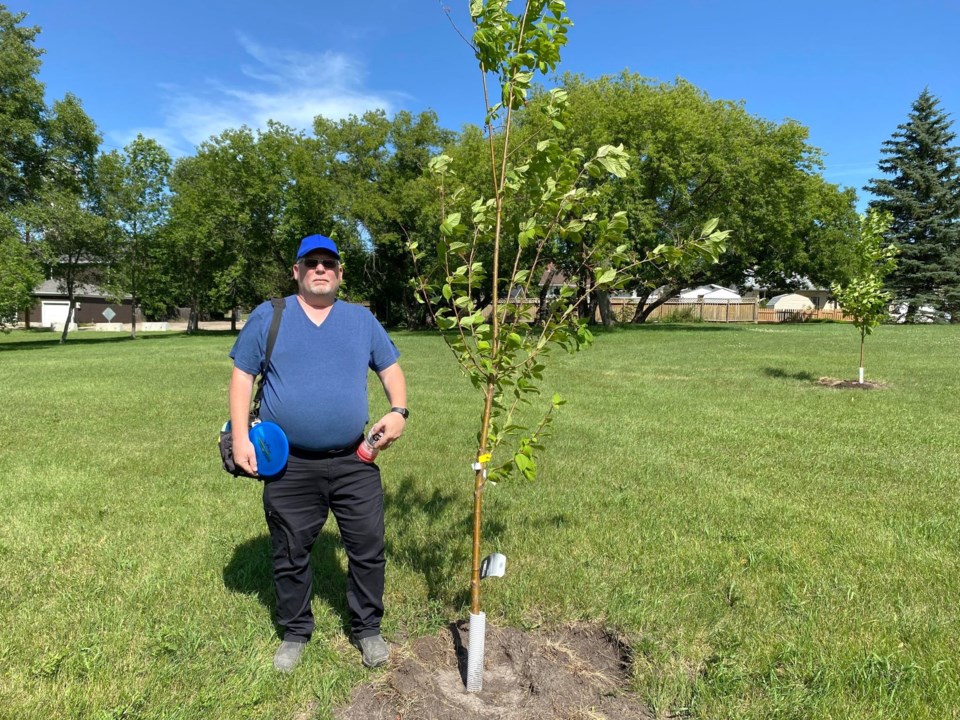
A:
(863, 297)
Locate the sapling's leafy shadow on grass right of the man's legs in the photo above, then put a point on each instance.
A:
(437, 541)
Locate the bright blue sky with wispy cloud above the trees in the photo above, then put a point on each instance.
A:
(181, 71)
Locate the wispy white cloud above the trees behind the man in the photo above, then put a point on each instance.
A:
(288, 86)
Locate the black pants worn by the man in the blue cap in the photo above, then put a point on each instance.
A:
(296, 504)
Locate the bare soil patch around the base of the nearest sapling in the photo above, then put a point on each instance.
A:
(579, 672)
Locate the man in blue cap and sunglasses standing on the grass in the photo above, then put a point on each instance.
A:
(316, 390)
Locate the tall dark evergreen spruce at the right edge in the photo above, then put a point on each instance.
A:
(922, 194)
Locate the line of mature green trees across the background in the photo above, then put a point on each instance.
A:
(215, 231)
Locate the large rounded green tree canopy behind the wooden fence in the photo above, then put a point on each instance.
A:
(694, 158)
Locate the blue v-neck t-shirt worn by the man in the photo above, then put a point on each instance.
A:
(316, 388)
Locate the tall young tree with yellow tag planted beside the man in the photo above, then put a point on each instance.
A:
(541, 194)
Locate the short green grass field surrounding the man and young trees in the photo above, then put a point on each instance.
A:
(769, 548)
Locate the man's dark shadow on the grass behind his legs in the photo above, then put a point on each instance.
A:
(250, 571)
